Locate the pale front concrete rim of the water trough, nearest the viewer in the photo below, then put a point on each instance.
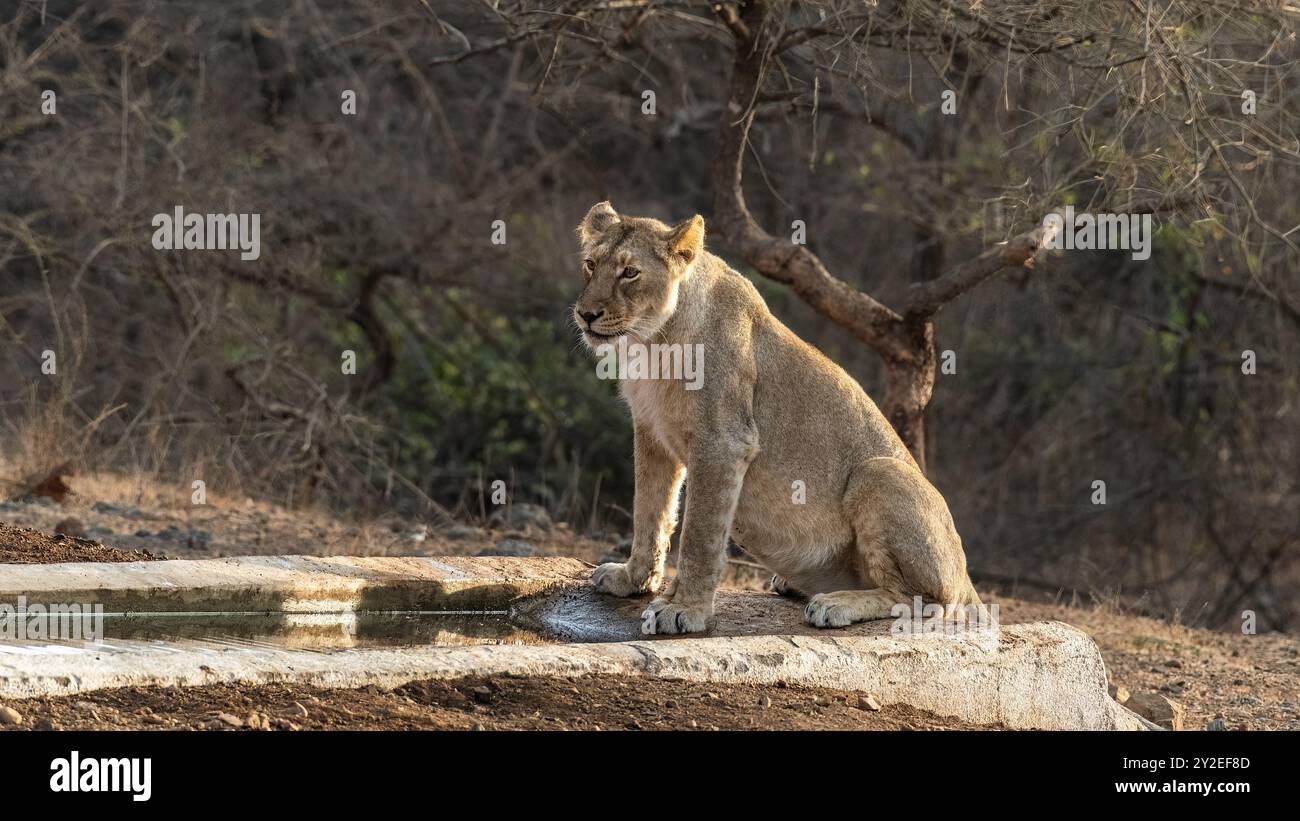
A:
(1037, 676)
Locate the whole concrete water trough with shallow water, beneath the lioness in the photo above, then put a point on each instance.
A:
(354, 622)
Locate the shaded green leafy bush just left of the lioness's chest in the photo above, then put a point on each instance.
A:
(501, 397)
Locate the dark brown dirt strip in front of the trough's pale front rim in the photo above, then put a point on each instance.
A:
(476, 705)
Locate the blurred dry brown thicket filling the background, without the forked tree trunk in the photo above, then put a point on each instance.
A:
(376, 238)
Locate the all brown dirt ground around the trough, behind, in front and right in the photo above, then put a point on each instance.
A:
(1251, 683)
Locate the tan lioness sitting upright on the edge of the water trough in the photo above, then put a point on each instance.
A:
(869, 531)
